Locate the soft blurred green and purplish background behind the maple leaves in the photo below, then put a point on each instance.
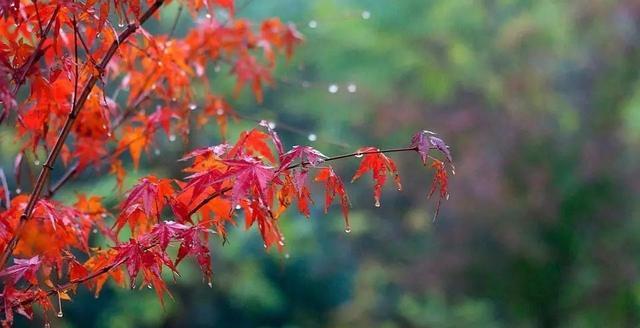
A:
(540, 102)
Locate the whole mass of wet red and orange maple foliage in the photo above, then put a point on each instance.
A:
(57, 59)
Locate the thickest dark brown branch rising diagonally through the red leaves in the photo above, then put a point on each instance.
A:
(53, 155)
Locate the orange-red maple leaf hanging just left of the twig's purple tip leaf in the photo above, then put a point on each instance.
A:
(379, 164)
